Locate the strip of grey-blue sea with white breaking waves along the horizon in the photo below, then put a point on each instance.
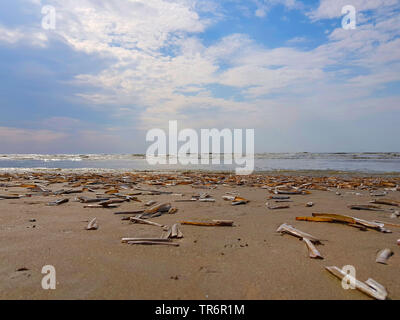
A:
(263, 162)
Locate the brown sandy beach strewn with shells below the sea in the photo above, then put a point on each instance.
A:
(247, 261)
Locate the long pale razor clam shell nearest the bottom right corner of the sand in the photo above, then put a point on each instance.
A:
(369, 287)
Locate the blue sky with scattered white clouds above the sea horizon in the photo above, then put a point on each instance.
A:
(112, 70)
